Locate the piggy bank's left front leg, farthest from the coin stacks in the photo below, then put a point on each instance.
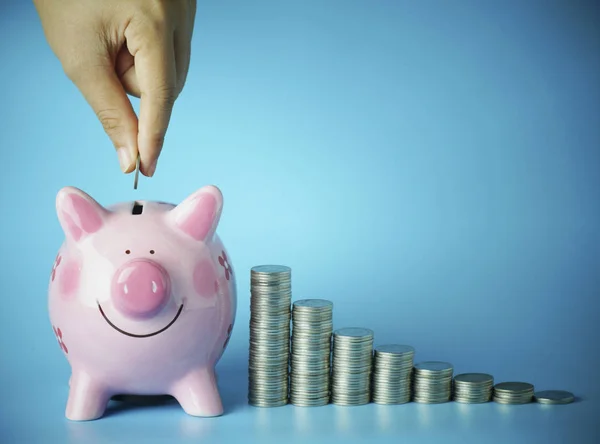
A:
(87, 398)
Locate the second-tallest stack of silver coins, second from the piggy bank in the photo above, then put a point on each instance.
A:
(312, 324)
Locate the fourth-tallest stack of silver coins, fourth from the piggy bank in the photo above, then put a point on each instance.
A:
(392, 371)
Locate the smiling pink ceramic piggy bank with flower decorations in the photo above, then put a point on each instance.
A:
(142, 300)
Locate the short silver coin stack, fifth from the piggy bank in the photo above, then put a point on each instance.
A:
(432, 382)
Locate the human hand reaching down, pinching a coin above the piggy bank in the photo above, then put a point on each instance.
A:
(111, 48)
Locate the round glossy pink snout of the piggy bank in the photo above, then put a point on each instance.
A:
(140, 288)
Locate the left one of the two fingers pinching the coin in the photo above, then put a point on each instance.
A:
(99, 84)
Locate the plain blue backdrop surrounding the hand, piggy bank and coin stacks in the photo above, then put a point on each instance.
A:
(431, 167)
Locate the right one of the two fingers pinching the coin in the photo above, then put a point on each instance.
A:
(156, 74)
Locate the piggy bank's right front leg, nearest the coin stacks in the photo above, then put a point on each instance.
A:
(198, 394)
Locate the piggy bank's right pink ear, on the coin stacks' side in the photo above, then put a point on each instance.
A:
(199, 214)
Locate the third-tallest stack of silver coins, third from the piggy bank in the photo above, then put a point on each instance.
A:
(351, 366)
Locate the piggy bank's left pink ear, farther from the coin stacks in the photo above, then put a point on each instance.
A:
(78, 213)
